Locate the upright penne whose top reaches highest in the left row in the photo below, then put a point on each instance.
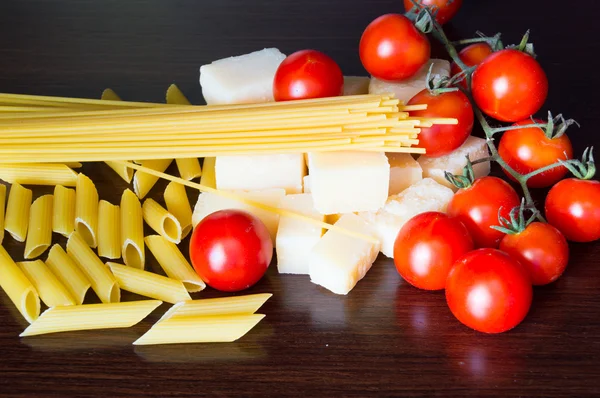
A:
(86, 210)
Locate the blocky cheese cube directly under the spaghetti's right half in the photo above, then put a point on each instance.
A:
(348, 181)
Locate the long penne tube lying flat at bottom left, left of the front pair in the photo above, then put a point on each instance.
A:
(91, 316)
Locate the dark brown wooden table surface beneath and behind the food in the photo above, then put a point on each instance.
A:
(385, 338)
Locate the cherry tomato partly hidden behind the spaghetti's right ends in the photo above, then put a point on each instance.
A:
(441, 139)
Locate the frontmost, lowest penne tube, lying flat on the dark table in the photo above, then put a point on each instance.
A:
(204, 329)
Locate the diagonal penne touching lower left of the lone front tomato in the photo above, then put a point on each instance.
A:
(174, 263)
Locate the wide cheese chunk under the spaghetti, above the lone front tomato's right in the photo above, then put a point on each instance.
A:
(257, 172)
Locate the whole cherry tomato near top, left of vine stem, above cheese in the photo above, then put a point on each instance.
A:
(392, 48)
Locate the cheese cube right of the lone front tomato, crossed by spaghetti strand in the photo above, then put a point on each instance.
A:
(296, 238)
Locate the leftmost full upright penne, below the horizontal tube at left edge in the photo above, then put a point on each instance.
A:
(16, 221)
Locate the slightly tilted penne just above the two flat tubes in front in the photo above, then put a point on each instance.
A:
(149, 284)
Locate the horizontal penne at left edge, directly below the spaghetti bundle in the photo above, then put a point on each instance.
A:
(38, 174)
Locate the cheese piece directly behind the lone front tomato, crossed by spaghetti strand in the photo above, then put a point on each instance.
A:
(209, 203)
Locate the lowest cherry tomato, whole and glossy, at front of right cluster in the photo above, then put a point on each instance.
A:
(488, 291)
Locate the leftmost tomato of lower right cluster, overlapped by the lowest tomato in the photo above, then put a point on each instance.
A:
(427, 246)
